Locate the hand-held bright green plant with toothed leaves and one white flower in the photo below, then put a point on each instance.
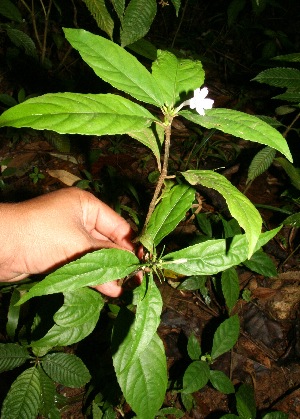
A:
(137, 351)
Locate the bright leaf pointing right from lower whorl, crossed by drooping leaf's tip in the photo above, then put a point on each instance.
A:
(212, 256)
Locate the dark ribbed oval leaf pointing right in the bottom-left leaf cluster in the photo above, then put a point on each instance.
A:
(66, 369)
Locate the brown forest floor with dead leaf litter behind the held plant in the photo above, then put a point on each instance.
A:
(267, 353)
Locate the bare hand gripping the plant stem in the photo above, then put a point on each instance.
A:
(43, 233)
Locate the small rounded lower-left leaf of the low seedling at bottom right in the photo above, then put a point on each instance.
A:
(195, 377)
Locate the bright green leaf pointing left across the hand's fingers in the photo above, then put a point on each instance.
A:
(94, 268)
